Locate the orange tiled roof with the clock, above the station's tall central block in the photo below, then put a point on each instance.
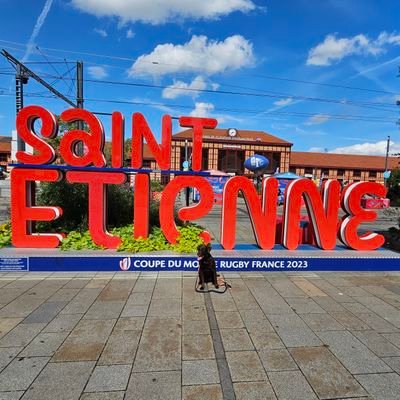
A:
(242, 136)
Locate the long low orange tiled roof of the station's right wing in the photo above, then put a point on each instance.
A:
(342, 161)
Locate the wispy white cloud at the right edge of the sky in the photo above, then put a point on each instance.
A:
(334, 49)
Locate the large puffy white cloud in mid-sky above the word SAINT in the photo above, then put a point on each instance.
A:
(198, 55)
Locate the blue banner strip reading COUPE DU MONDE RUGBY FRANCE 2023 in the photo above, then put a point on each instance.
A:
(224, 264)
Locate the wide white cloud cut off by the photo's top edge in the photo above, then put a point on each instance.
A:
(162, 11)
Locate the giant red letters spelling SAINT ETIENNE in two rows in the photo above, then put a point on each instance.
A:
(322, 208)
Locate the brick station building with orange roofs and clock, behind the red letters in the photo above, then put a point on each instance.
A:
(226, 150)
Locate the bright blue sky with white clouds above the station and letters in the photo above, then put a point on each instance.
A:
(320, 74)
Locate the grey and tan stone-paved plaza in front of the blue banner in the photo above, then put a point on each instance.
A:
(132, 336)
